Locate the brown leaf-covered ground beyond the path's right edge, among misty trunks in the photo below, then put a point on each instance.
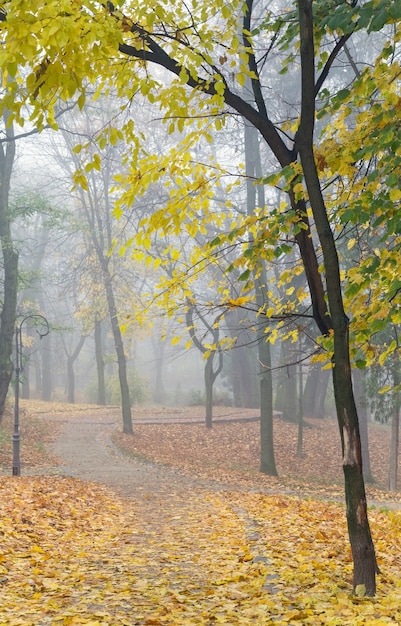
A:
(230, 451)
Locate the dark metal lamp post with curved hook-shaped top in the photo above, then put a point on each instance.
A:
(41, 321)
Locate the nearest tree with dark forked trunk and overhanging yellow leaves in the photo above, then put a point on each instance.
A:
(205, 57)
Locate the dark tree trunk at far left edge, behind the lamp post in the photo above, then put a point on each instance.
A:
(10, 265)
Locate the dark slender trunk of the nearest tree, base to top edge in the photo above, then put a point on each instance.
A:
(363, 553)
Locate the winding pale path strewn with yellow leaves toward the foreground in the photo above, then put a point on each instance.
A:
(179, 523)
